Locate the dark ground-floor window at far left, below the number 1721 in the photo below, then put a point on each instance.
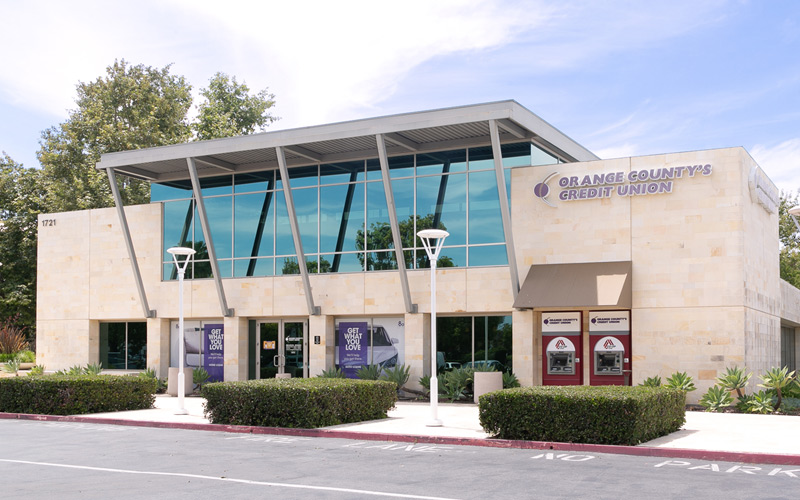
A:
(123, 345)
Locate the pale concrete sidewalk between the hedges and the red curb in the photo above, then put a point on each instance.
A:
(739, 437)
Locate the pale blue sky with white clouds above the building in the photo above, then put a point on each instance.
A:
(620, 77)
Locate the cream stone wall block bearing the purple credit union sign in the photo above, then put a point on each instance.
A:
(706, 293)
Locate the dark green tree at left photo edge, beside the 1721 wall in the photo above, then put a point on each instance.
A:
(22, 199)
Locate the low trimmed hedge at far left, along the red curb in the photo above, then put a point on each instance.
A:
(75, 394)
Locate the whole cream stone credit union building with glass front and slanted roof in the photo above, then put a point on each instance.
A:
(564, 267)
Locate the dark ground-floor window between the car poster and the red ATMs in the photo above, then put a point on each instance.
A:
(474, 341)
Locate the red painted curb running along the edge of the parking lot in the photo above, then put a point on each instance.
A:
(642, 451)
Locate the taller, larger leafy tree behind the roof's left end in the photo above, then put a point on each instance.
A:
(133, 107)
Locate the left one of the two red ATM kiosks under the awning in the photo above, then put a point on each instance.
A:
(561, 348)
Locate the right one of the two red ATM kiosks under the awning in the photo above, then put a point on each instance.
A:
(610, 340)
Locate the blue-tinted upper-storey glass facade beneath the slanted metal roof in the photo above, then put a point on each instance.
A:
(343, 216)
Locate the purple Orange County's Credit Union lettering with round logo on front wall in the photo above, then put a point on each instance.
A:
(640, 182)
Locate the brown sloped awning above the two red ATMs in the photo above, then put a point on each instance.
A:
(593, 284)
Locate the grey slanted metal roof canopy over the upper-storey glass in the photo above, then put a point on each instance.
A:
(406, 133)
